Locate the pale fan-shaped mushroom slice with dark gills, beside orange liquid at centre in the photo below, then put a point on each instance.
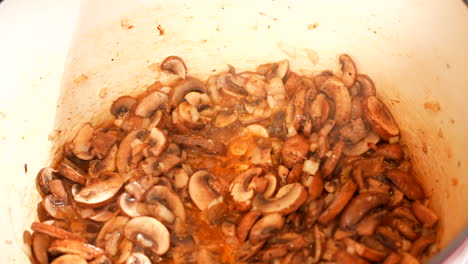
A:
(204, 187)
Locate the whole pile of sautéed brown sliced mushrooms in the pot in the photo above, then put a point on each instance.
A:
(247, 167)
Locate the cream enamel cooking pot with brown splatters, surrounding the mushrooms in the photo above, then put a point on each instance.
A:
(63, 62)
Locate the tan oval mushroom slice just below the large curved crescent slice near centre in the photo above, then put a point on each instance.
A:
(266, 227)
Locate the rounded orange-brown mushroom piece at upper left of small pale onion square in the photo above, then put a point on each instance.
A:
(294, 150)
